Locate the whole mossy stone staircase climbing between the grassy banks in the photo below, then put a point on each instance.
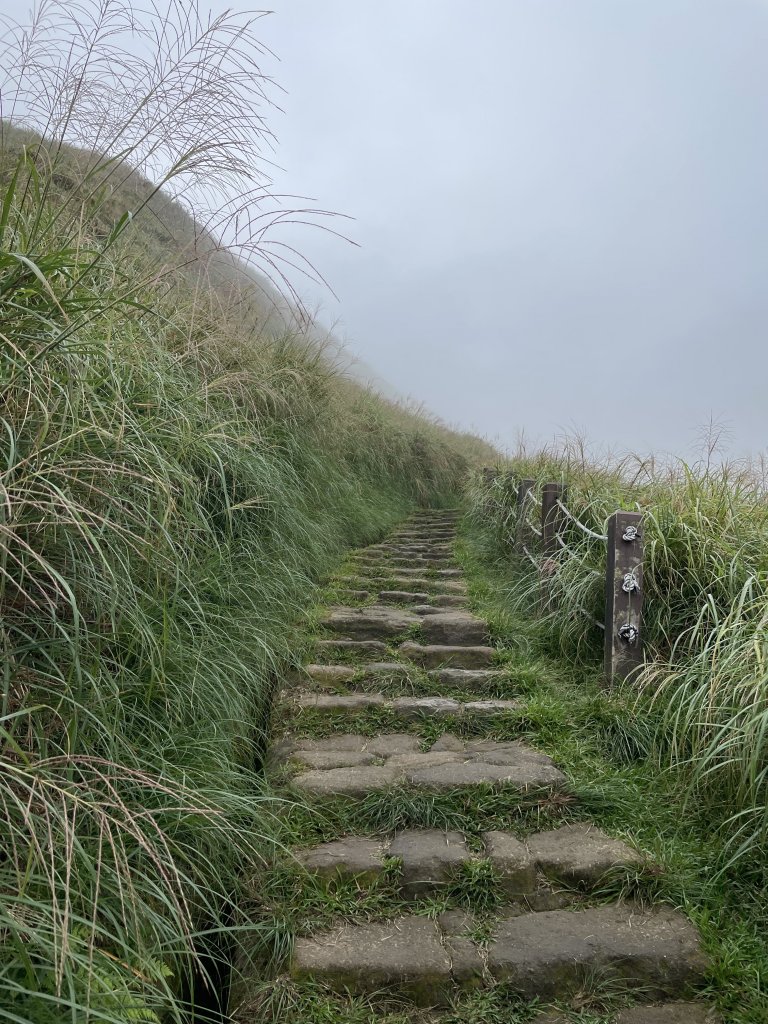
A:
(406, 695)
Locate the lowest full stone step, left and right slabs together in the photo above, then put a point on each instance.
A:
(551, 955)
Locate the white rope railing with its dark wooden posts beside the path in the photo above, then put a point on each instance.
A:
(624, 565)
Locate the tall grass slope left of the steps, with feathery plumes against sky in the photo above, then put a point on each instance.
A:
(176, 481)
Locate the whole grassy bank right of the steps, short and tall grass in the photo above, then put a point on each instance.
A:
(675, 759)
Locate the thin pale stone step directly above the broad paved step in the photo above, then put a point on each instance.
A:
(408, 709)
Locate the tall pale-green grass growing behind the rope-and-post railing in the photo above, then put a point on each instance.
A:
(705, 687)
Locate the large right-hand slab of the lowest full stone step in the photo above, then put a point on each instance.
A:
(553, 955)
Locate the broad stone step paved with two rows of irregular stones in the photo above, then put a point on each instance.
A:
(514, 765)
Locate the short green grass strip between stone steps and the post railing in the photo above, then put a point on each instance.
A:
(607, 745)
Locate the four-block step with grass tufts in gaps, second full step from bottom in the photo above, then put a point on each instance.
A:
(431, 859)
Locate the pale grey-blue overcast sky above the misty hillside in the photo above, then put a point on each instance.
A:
(562, 205)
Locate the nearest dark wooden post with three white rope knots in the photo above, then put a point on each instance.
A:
(624, 596)
